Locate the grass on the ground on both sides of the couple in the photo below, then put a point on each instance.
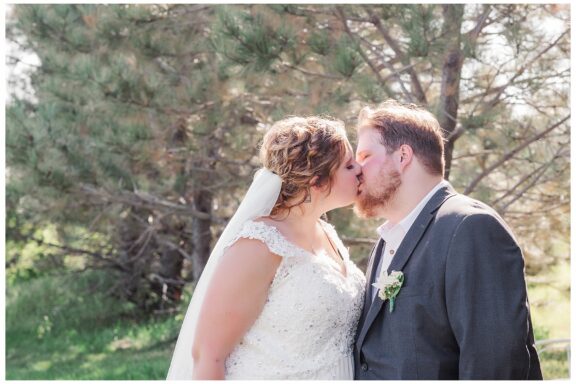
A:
(66, 328)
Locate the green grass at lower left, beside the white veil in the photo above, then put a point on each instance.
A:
(85, 340)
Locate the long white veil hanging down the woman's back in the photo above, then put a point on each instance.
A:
(259, 201)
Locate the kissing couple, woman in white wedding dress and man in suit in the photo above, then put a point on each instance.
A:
(443, 296)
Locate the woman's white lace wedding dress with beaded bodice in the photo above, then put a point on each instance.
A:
(307, 326)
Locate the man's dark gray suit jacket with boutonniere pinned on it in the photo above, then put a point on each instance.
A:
(463, 310)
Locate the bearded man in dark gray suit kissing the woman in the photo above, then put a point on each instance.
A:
(462, 311)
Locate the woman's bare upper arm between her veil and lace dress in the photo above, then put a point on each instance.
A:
(234, 299)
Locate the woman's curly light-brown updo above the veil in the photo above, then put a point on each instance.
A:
(299, 148)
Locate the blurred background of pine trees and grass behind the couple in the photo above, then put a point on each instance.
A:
(132, 133)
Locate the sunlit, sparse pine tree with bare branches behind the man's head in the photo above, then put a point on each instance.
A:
(495, 79)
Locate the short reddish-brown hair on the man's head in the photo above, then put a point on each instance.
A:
(409, 124)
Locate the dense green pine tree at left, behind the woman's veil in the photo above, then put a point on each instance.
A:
(135, 136)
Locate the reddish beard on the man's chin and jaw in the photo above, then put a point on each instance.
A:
(368, 202)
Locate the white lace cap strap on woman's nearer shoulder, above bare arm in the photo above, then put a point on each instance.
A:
(269, 235)
